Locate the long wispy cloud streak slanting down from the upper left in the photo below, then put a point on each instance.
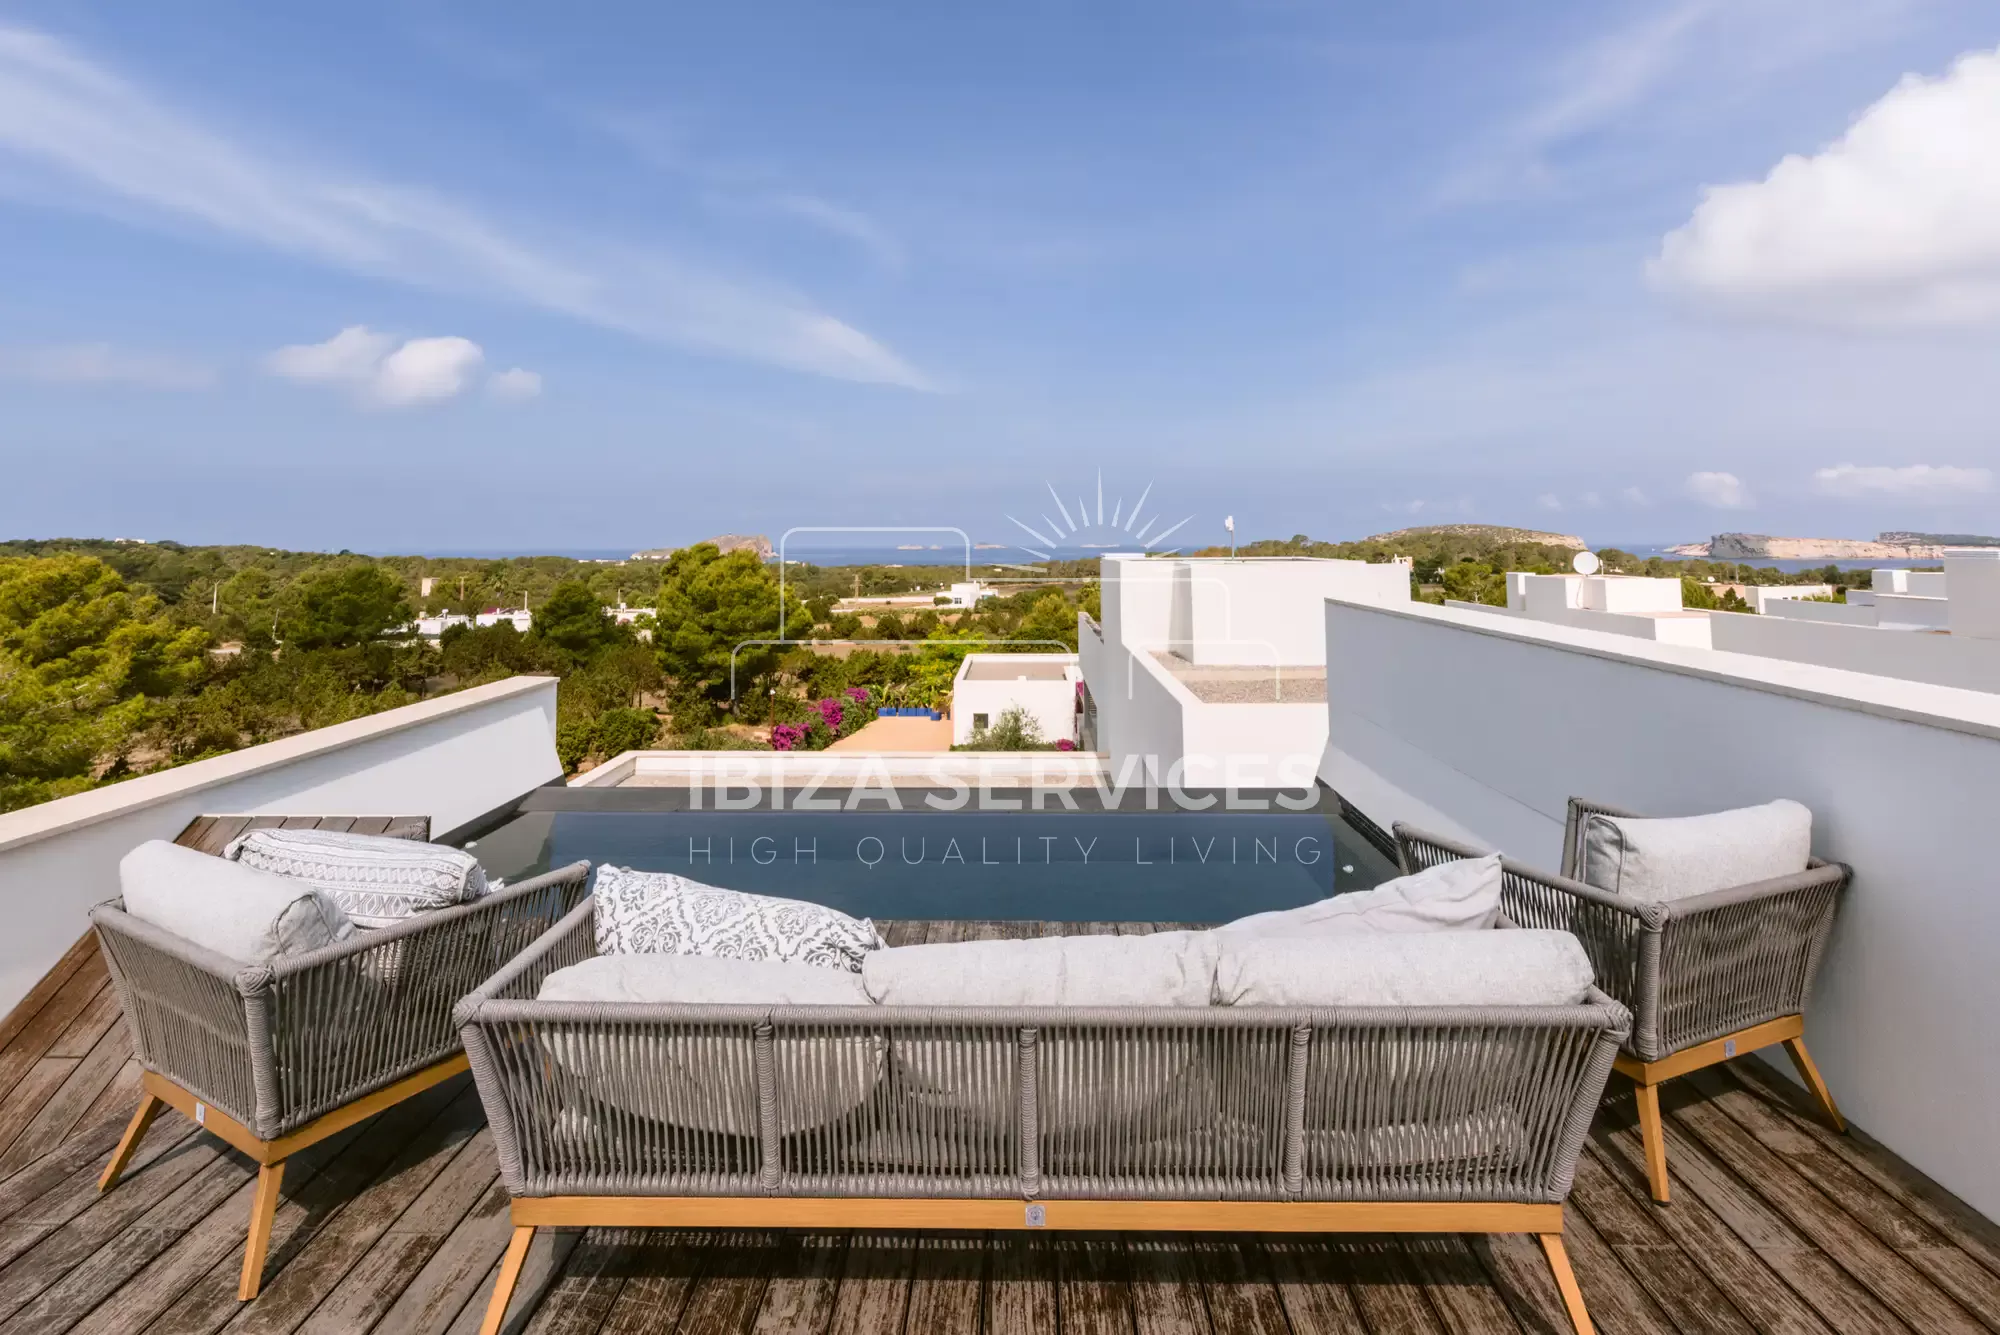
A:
(91, 139)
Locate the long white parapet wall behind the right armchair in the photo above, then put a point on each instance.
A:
(1485, 726)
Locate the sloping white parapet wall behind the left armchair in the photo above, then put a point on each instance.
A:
(453, 760)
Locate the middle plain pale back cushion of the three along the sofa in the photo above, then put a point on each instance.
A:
(1167, 968)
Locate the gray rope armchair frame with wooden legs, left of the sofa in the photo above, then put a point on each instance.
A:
(279, 1056)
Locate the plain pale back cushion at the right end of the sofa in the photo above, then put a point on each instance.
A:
(1445, 968)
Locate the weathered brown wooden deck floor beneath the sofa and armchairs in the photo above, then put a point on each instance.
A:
(1779, 1226)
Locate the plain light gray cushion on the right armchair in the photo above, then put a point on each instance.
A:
(1659, 860)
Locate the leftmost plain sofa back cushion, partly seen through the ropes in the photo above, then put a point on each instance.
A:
(707, 1080)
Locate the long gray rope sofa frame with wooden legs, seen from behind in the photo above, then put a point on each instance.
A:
(637, 1114)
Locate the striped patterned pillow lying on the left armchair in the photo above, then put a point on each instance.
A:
(379, 882)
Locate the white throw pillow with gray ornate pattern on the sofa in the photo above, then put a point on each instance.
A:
(665, 914)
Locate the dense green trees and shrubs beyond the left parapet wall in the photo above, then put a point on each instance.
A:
(125, 659)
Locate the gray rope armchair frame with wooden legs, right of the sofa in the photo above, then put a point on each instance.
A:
(1709, 978)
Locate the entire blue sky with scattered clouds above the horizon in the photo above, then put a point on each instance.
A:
(423, 277)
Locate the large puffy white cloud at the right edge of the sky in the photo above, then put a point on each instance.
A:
(1893, 225)
